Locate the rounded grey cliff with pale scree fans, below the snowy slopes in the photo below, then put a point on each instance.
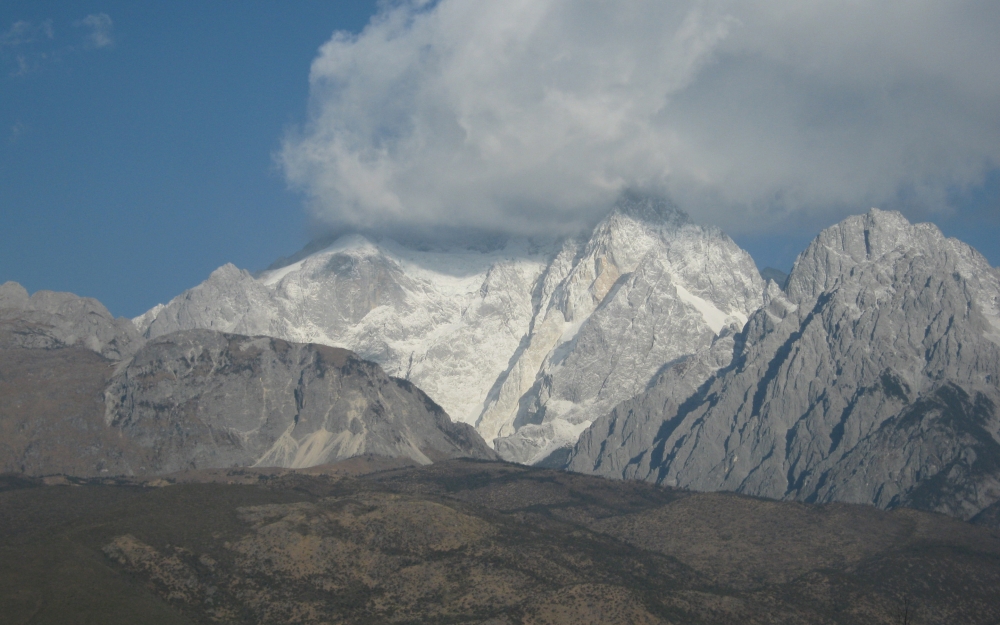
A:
(200, 399)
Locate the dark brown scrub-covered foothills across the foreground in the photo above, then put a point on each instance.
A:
(468, 542)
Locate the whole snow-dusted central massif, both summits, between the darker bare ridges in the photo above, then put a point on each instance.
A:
(530, 342)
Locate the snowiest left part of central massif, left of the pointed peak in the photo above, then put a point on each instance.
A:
(446, 321)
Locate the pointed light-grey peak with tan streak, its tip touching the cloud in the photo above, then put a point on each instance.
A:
(650, 288)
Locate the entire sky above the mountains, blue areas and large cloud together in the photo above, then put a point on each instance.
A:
(144, 144)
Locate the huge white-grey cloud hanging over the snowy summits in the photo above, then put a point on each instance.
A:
(531, 115)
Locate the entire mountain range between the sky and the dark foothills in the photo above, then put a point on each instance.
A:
(650, 350)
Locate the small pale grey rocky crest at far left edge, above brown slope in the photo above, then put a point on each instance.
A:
(48, 320)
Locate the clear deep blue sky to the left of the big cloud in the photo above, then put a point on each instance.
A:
(129, 172)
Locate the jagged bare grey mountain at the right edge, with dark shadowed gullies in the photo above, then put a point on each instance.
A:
(873, 378)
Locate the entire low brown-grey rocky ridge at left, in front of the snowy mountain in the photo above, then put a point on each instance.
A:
(70, 402)
